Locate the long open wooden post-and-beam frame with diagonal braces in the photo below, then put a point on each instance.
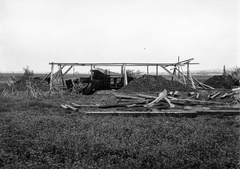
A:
(176, 69)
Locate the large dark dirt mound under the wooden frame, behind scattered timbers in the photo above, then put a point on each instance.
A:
(148, 83)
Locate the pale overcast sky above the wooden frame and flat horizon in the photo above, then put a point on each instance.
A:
(36, 32)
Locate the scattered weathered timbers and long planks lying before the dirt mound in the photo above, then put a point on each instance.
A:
(162, 104)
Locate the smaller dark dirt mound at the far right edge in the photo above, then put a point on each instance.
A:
(221, 81)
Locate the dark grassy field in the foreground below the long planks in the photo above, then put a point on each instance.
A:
(38, 134)
